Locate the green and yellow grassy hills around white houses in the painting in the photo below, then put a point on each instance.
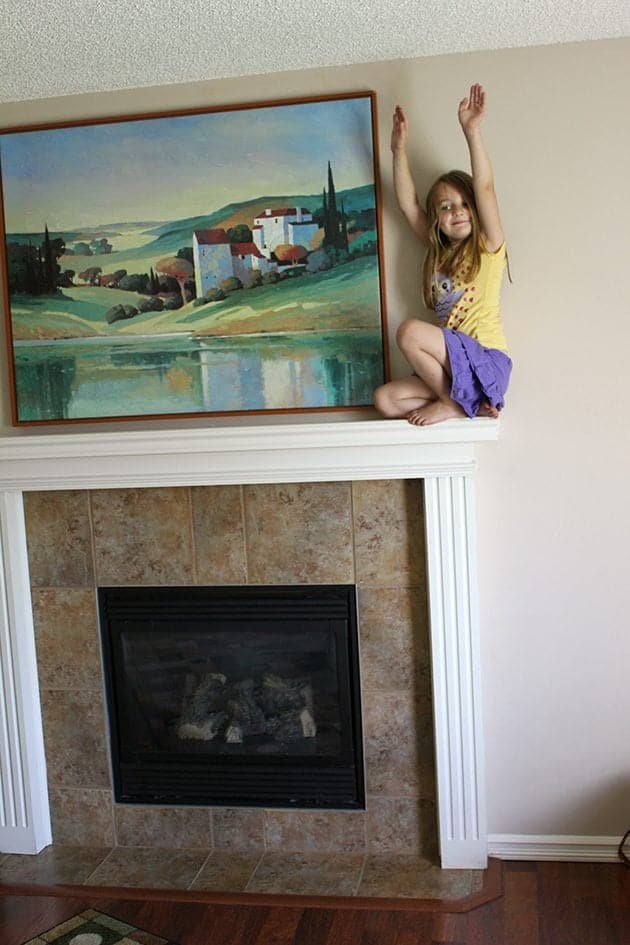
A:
(345, 297)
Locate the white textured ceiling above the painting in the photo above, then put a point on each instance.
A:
(49, 49)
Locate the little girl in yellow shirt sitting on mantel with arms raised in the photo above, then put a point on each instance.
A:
(461, 369)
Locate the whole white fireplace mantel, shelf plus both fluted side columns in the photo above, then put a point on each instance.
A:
(285, 452)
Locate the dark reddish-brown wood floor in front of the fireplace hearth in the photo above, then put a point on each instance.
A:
(540, 904)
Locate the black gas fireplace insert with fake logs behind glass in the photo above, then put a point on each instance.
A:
(233, 696)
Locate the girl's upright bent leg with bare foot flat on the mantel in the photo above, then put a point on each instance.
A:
(424, 348)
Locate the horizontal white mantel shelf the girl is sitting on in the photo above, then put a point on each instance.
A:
(359, 449)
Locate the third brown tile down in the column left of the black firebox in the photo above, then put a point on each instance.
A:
(75, 737)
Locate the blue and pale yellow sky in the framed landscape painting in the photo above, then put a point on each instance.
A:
(187, 165)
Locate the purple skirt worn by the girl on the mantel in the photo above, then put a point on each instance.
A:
(479, 374)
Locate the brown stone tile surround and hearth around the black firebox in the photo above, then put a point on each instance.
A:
(370, 533)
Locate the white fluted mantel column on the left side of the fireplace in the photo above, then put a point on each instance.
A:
(24, 809)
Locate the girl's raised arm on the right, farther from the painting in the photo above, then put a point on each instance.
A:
(470, 113)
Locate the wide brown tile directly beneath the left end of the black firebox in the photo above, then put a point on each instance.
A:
(162, 827)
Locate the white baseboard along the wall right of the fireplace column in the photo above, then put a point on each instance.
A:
(551, 847)
